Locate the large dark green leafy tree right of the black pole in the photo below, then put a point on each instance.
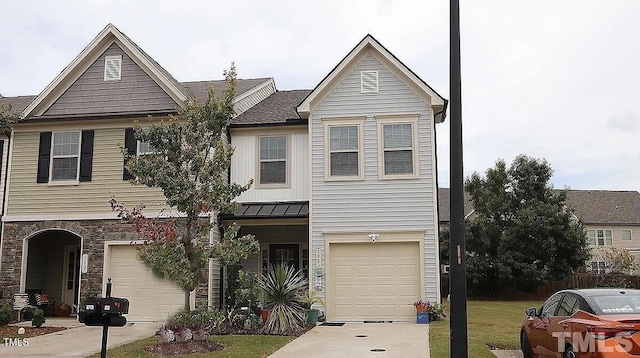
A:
(522, 235)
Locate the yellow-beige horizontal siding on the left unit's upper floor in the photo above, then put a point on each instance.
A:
(28, 198)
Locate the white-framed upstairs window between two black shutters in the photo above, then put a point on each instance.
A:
(65, 158)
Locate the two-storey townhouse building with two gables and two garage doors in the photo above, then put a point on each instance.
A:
(345, 182)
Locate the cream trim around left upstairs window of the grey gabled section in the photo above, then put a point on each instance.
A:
(338, 122)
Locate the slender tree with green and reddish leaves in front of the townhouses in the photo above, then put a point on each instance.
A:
(190, 164)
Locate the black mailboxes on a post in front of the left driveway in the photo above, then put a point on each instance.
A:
(106, 312)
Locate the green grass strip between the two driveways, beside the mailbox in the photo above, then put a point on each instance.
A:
(245, 346)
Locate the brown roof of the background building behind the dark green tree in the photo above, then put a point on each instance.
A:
(590, 206)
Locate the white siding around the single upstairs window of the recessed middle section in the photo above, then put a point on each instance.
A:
(244, 165)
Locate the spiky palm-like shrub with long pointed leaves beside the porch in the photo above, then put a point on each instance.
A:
(282, 288)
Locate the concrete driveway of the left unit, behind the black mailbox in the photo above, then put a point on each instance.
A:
(77, 341)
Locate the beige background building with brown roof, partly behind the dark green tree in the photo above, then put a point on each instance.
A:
(611, 219)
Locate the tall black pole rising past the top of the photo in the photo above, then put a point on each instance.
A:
(457, 262)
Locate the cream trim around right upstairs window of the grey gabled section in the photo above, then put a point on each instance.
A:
(399, 119)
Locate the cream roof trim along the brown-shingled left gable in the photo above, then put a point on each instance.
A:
(96, 44)
